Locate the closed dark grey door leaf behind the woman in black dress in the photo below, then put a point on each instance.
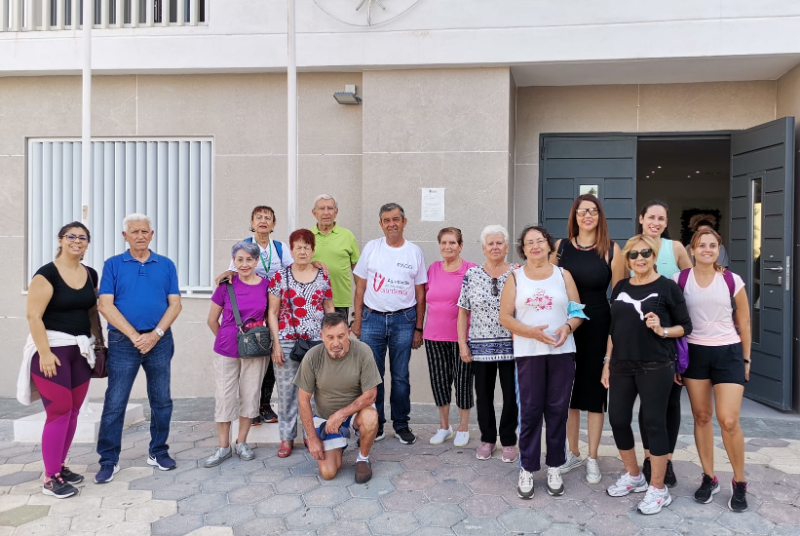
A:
(603, 165)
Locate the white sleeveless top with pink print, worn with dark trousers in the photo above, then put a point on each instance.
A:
(538, 303)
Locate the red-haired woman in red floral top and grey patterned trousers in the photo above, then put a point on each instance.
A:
(299, 296)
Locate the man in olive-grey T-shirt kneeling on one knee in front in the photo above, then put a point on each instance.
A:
(342, 377)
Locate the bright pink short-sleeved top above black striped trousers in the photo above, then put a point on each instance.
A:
(442, 292)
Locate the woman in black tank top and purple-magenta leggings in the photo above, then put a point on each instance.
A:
(62, 316)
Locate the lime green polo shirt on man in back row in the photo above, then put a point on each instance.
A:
(338, 250)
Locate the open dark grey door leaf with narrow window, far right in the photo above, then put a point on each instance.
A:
(762, 204)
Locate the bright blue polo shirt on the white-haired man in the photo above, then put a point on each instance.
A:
(140, 289)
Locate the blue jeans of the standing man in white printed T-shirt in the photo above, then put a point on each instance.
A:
(395, 332)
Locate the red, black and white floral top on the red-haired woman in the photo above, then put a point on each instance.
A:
(300, 318)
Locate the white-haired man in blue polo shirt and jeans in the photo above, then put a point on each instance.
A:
(140, 299)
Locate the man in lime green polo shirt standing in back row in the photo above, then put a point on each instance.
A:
(336, 248)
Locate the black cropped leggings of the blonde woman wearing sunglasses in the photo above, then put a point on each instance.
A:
(652, 383)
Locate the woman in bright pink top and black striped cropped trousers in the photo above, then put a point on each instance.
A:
(441, 337)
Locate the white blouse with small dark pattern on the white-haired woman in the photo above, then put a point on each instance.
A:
(488, 340)
